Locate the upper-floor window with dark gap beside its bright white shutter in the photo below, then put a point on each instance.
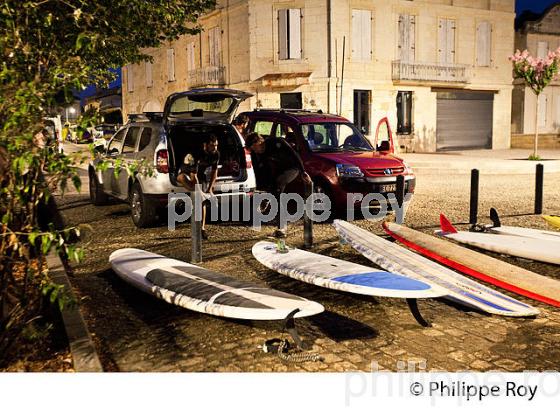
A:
(289, 34)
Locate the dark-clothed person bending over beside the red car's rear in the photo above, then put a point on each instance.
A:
(279, 165)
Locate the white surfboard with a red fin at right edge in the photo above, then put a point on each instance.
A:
(524, 247)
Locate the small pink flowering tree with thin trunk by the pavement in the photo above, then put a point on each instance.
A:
(537, 74)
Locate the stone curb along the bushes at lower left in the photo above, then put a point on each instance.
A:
(84, 355)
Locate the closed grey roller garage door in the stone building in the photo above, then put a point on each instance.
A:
(464, 120)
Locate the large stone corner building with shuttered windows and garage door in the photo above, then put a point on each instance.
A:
(438, 69)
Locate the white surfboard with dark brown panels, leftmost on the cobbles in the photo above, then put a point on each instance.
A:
(205, 291)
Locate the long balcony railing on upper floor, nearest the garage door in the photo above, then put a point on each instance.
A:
(452, 73)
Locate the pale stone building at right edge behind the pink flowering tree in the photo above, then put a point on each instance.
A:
(539, 34)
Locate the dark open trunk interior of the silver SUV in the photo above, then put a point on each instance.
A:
(187, 138)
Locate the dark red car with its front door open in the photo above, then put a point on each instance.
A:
(336, 155)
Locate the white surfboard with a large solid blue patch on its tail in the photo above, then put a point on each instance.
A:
(341, 275)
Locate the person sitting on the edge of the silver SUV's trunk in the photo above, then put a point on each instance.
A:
(201, 167)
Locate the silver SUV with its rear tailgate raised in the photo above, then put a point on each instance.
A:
(163, 139)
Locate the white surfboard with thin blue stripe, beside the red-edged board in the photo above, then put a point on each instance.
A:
(457, 287)
